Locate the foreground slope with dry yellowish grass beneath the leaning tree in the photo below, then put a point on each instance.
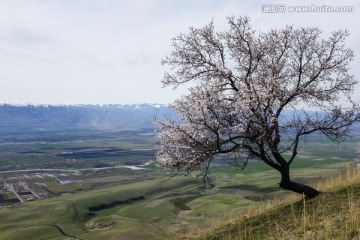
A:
(335, 214)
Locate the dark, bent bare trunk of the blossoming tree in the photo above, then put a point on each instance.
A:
(287, 184)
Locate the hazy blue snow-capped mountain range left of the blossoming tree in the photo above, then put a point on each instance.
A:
(133, 116)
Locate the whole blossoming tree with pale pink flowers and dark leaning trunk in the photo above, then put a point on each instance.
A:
(243, 82)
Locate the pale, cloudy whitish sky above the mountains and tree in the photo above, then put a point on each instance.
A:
(109, 51)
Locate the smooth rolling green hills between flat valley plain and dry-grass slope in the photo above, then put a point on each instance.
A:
(167, 206)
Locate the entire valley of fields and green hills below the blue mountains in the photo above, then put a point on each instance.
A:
(103, 184)
